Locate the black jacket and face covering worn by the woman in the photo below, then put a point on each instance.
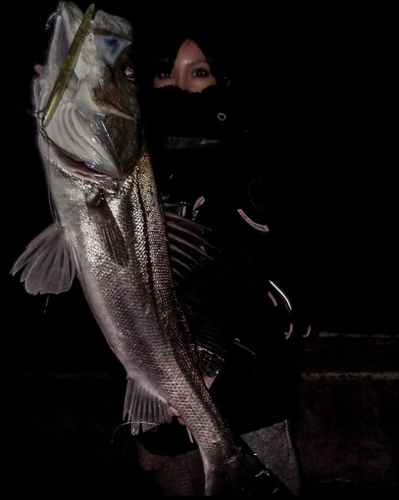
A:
(204, 161)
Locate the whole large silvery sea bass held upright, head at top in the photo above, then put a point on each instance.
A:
(110, 231)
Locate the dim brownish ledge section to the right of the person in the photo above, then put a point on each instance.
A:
(347, 432)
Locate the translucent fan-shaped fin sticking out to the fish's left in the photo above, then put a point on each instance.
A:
(49, 262)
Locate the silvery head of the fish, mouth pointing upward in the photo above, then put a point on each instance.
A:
(97, 122)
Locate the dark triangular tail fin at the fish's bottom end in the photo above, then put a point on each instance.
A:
(245, 475)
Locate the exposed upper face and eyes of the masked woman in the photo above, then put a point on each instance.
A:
(190, 71)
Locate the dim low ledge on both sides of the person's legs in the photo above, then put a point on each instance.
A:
(59, 428)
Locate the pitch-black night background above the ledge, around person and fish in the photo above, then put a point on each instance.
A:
(318, 85)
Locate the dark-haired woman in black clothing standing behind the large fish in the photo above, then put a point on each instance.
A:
(200, 145)
